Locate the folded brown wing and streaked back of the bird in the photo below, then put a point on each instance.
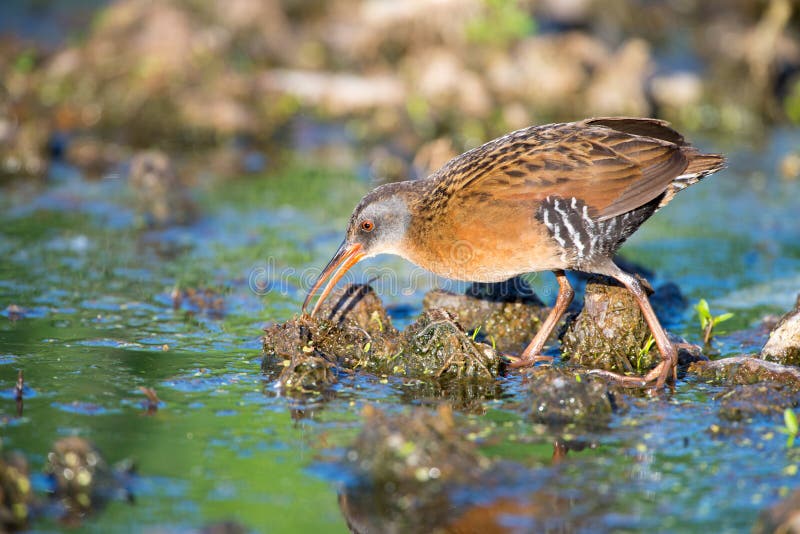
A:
(613, 164)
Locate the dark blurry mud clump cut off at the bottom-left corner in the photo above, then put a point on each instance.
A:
(15, 492)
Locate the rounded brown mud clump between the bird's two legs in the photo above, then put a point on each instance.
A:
(610, 332)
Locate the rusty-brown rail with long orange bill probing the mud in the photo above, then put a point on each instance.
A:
(556, 197)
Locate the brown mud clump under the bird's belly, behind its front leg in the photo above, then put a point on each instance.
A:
(507, 314)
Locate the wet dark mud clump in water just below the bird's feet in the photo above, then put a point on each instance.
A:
(559, 397)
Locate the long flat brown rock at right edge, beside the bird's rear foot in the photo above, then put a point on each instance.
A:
(746, 370)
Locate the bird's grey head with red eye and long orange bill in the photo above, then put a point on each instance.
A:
(378, 226)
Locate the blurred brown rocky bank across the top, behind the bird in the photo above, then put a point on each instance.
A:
(399, 87)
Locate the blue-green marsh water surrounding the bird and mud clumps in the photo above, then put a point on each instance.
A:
(90, 316)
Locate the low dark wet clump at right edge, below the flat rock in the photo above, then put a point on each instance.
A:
(744, 401)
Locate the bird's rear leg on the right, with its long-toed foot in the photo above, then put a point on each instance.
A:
(669, 356)
